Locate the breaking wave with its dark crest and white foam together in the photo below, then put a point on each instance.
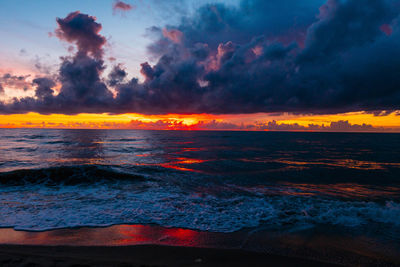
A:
(92, 198)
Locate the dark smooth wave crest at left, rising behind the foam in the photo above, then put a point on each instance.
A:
(67, 175)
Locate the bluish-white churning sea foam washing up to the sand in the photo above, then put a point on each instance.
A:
(43, 208)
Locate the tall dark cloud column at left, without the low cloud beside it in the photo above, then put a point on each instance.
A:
(82, 88)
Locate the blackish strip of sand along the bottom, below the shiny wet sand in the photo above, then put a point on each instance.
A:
(141, 255)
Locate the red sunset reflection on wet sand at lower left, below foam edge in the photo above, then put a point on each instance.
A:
(110, 236)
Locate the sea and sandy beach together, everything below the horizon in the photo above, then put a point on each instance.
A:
(154, 198)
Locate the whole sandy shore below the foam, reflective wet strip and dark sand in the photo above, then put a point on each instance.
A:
(308, 246)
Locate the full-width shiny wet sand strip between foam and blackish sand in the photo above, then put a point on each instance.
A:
(323, 244)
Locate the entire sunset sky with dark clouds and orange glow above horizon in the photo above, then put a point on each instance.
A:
(287, 65)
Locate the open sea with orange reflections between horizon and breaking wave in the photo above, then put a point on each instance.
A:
(249, 159)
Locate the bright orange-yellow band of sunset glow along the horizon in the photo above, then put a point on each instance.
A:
(189, 122)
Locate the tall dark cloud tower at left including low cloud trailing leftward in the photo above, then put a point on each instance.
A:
(82, 88)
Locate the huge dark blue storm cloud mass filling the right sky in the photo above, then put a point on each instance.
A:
(347, 64)
